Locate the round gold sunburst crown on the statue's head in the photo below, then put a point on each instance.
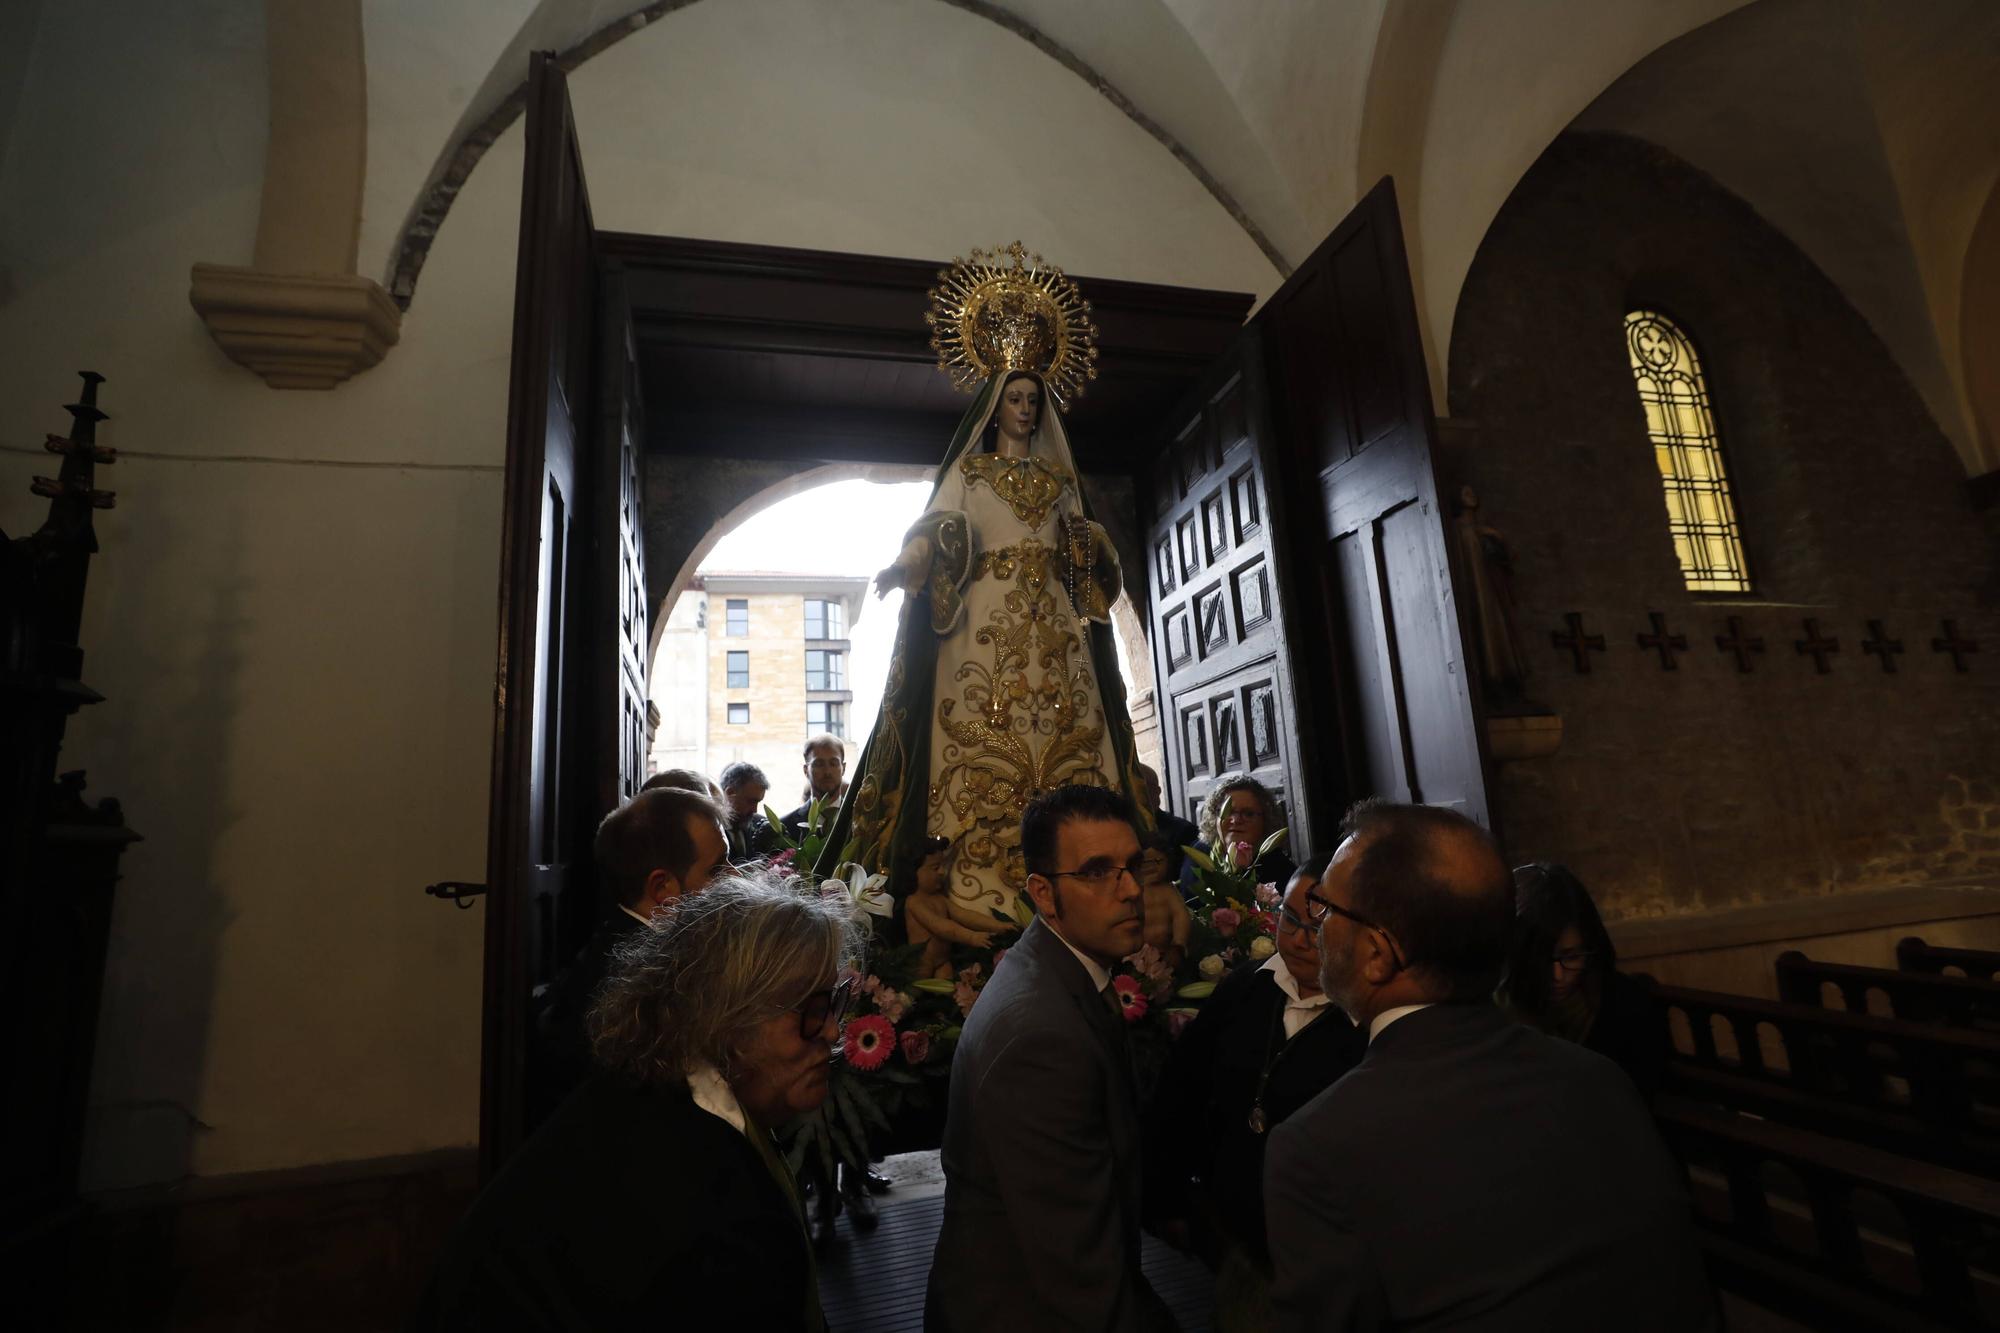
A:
(989, 317)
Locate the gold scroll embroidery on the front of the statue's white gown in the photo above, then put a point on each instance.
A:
(1021, 724)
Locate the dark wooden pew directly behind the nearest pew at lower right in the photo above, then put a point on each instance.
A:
(1927, 1092)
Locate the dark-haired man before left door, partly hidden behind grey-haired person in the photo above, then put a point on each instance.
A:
(651, 850)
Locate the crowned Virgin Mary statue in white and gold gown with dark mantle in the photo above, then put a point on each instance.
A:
(1005, 678)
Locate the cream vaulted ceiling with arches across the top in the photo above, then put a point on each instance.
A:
(1863, 129)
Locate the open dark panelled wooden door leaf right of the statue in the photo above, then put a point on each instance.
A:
(1303, 599)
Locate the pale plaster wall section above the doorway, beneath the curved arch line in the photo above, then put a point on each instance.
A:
(889, 127)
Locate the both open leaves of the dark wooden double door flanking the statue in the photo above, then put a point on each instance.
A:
(1299, 579)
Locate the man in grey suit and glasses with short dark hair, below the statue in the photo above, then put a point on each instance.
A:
(1043, 1136)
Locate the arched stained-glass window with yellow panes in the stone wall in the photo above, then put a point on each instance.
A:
(1701, 513)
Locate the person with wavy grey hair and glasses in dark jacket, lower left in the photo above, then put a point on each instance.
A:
(657, 1196)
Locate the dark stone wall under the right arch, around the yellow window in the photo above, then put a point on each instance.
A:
(1703, 788)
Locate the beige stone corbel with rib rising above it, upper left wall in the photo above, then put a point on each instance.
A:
(299, 315)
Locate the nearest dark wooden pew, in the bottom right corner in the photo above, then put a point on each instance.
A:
(1865, 1240)
